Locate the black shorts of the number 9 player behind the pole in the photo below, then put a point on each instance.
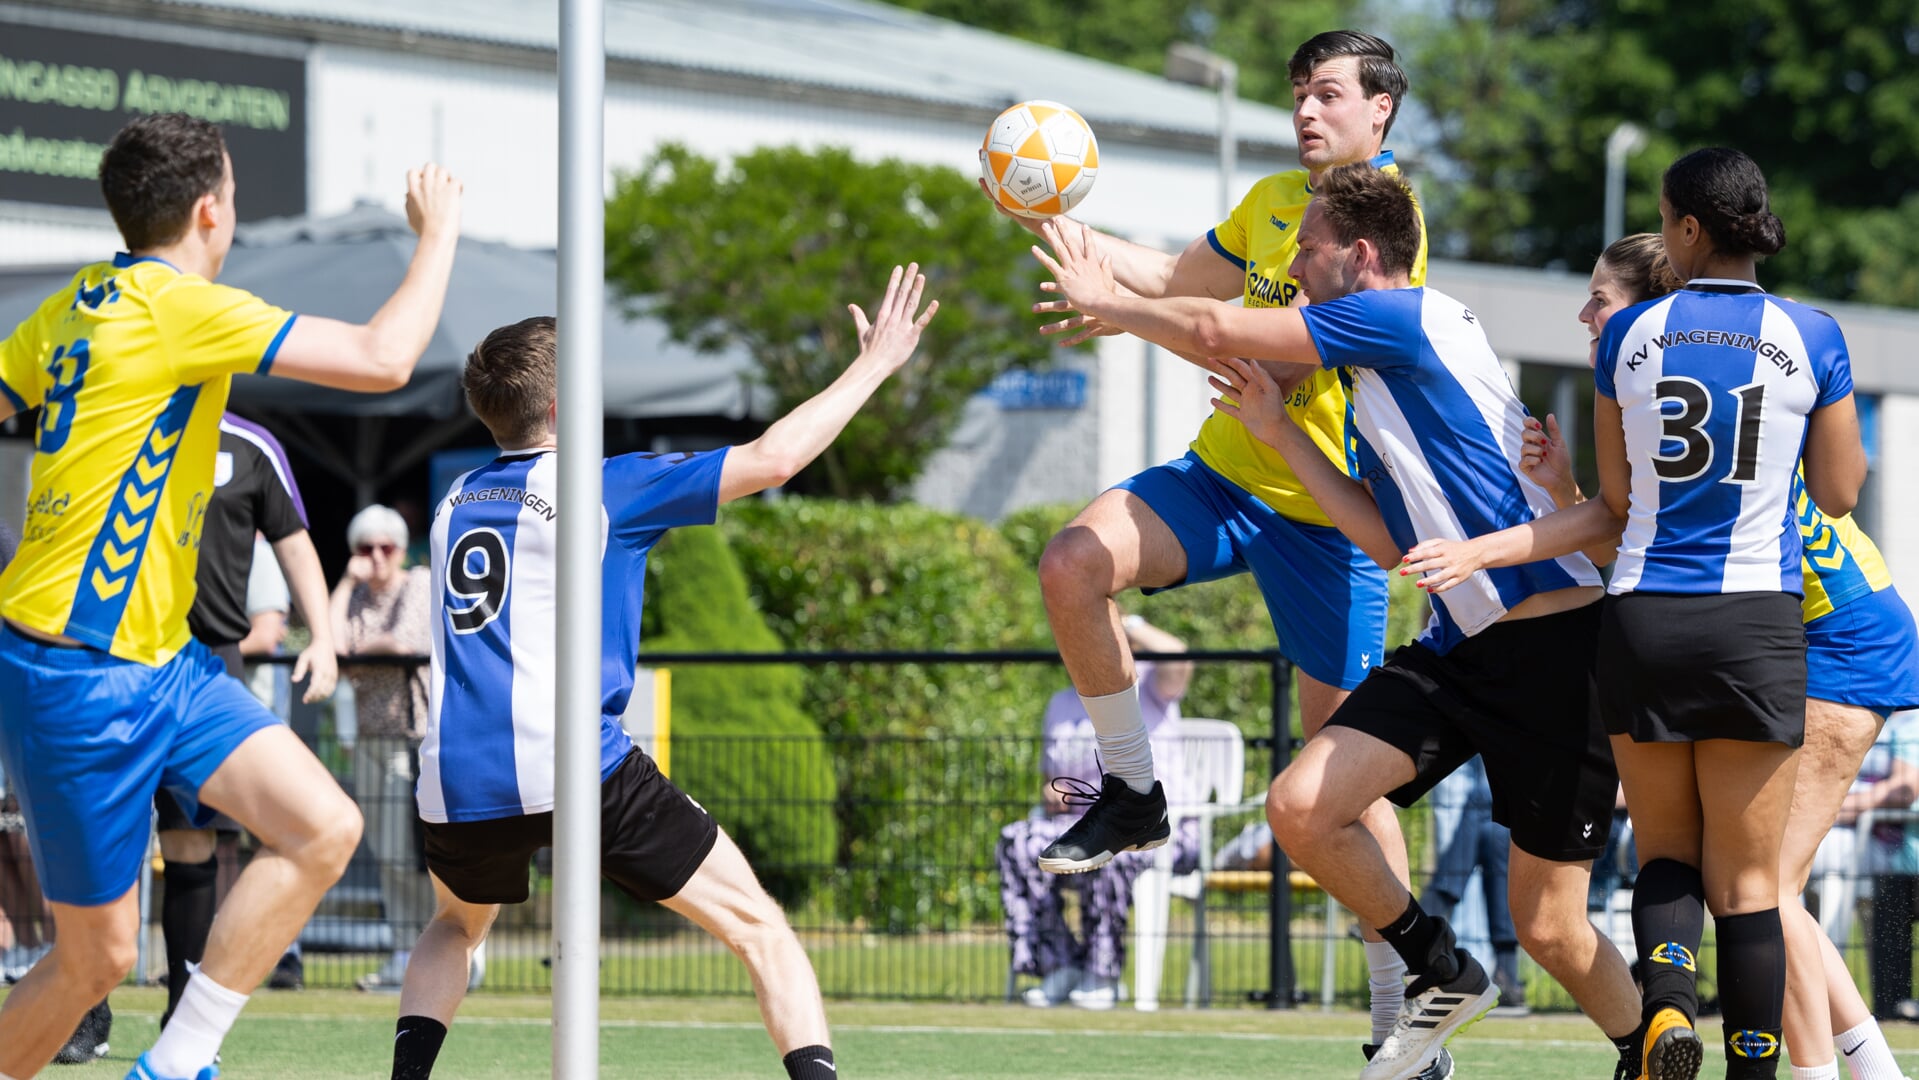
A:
(653, 839)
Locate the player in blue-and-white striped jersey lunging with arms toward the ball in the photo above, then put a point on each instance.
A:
(1504, 670)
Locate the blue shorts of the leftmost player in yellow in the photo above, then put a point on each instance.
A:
(87, 740)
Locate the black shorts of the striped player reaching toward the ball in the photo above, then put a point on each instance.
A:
(1521, 697)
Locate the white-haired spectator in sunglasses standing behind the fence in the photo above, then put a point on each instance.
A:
(385, 609)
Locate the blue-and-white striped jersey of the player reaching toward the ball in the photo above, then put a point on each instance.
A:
(1440, 434)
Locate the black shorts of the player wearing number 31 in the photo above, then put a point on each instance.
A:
(1717, 667)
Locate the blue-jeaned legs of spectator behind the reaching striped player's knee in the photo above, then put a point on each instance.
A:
(1471, 841)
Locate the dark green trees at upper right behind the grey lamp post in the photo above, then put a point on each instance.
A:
(1820, 93)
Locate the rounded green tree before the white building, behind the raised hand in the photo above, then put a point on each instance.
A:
(767, 254)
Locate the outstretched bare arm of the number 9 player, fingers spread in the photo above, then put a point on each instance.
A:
(797, 438)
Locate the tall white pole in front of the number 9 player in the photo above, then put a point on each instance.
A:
(577, 822)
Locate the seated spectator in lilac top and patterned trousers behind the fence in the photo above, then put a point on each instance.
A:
(1085, 970)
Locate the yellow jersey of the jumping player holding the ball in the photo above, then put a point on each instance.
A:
(1262, 239)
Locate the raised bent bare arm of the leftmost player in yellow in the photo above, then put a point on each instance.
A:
(383, 352)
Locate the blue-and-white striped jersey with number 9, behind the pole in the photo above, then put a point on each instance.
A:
(488, 745)
